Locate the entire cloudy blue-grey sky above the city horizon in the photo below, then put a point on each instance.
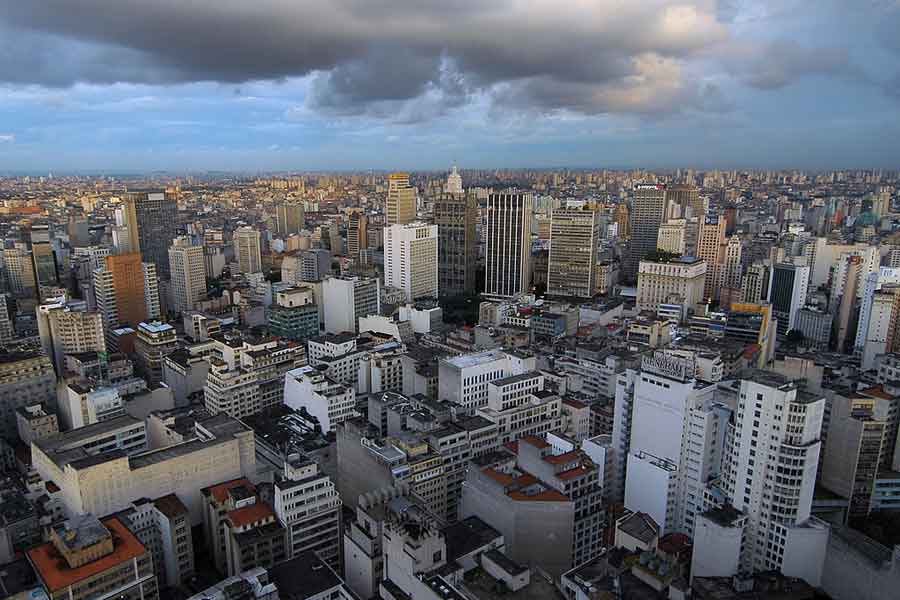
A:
(112, 85)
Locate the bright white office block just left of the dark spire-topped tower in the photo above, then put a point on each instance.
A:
(410, 260)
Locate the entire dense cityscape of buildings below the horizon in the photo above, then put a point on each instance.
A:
(572, 384)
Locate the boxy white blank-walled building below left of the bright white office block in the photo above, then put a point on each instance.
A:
(346, 299)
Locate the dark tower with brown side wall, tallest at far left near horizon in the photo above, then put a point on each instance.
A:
(151, 219)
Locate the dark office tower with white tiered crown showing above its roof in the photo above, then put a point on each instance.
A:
(456, 216)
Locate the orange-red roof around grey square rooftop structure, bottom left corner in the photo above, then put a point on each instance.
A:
(55, 572)
